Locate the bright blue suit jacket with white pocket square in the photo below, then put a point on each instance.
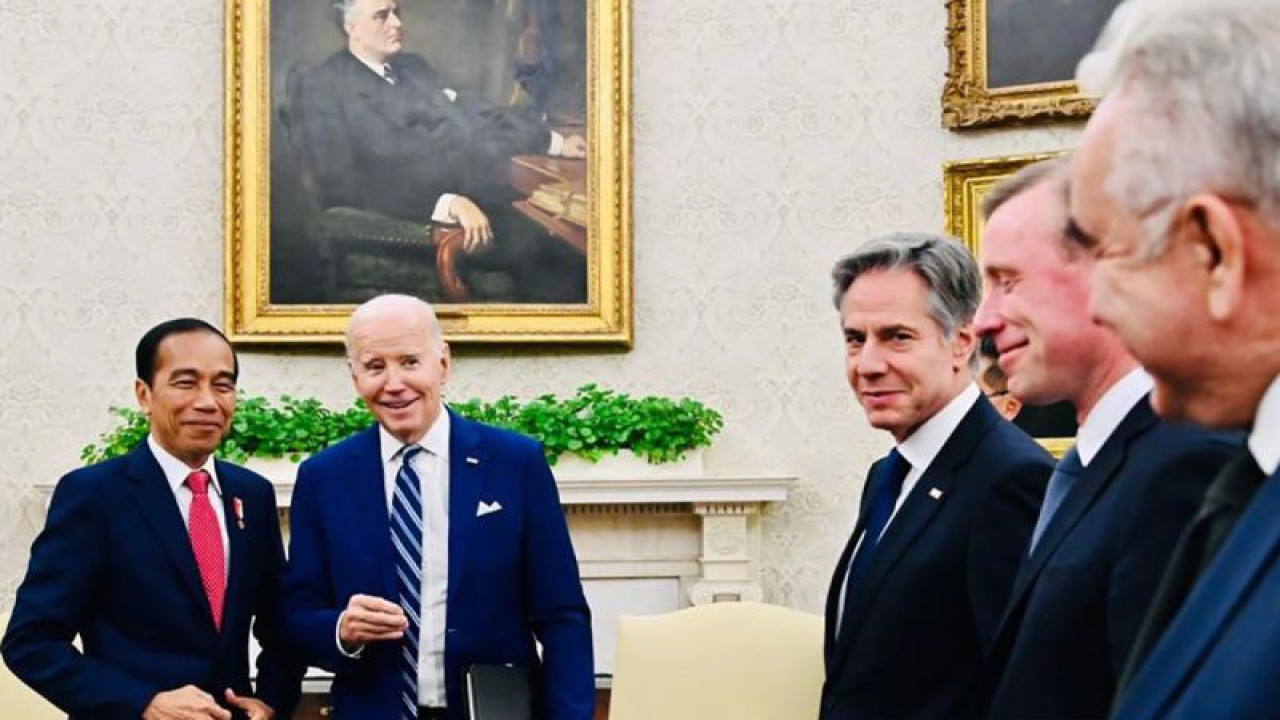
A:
(513, 575)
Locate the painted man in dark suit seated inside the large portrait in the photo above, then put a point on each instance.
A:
(386, 134)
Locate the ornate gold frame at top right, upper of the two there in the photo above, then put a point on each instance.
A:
(967, 99)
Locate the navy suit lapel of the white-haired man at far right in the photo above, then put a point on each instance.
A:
(1249, 552)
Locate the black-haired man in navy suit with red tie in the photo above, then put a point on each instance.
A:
(161, 562)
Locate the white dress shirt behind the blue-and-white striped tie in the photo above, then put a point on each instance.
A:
(433, 473)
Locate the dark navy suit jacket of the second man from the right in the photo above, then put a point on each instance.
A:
(1081, 599)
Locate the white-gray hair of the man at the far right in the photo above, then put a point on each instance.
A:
(1204, 107)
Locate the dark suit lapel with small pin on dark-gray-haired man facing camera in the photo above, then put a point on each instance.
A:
(918, 511)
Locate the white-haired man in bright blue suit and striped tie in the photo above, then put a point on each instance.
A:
(429, 544)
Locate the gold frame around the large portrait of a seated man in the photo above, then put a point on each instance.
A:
(605, 320)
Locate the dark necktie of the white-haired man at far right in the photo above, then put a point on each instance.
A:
(1224, 503)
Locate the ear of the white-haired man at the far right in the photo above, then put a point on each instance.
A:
(1219, 250)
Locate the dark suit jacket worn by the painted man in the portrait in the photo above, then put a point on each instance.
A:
(395, 149)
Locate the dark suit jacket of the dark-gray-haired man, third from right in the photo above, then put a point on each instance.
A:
(926, 613)
